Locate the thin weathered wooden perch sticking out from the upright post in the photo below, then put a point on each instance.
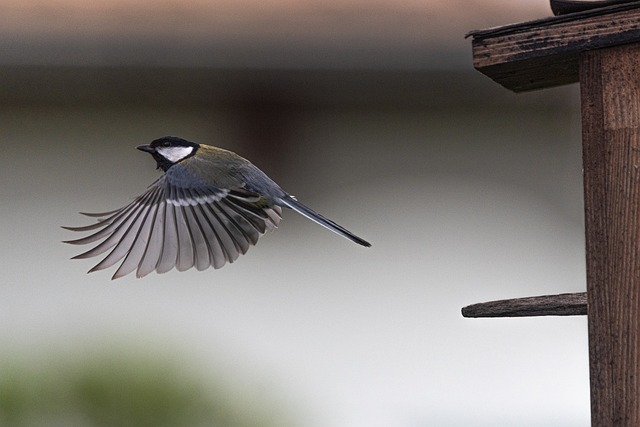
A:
(574, 304)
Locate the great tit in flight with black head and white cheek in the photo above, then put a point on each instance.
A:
(207, 208)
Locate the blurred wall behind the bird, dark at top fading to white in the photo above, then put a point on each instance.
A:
(467, 192)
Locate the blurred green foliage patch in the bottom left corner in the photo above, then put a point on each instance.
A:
(121, 391)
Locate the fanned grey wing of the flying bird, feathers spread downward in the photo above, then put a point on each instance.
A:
(171, 225)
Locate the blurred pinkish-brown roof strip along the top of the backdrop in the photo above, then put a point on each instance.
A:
(252, 33)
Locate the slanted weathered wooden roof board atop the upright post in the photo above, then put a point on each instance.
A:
(544, 53)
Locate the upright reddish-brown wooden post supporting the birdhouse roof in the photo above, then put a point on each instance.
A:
(610, 91)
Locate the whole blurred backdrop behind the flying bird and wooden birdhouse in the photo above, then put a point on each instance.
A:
(368, 111)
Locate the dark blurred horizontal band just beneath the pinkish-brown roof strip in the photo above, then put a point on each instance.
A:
(261, 88)
